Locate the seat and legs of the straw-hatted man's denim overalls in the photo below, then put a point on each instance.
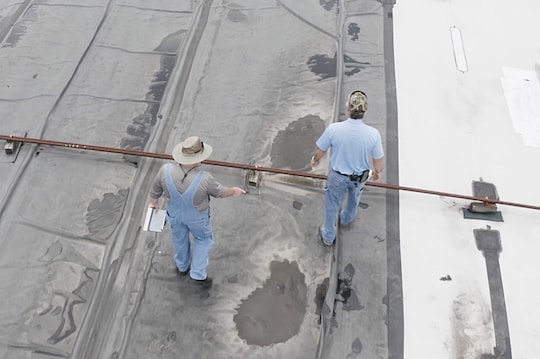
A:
(203, 241)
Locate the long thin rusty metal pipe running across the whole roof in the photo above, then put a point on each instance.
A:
(255, 168)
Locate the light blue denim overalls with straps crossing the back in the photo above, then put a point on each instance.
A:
(185, 218)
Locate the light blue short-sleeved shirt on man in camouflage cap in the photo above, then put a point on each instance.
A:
(353, 145)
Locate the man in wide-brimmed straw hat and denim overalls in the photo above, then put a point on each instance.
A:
(188, 190)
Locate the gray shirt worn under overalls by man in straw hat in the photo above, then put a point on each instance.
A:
(208, 186)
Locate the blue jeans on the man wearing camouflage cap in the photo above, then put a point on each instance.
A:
(337, 186)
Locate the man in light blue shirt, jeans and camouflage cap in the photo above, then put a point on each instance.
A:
(357, 153)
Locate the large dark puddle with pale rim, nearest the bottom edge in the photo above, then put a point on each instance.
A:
(273, 314)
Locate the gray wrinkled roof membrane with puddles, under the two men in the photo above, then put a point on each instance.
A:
(259, 82)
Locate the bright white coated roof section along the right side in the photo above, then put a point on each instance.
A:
(457, 127)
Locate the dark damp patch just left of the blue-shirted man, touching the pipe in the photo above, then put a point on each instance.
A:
(293, 147)
